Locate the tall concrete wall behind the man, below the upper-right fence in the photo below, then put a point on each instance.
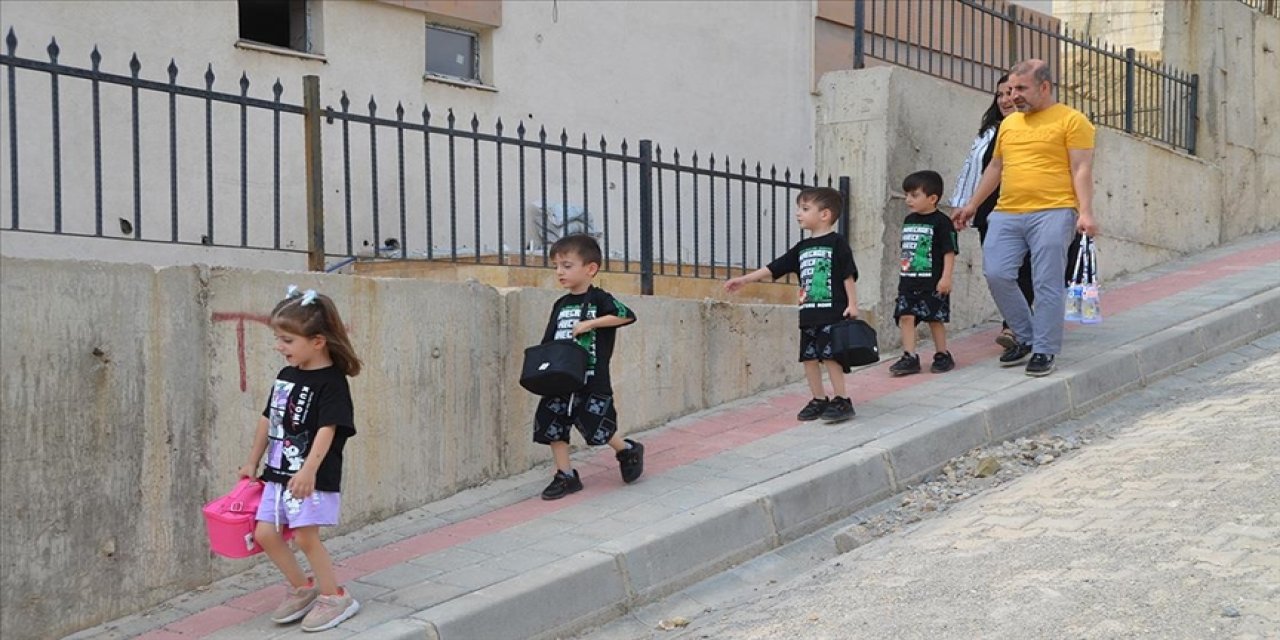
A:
(881, 125)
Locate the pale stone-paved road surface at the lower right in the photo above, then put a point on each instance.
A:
(1167, 528)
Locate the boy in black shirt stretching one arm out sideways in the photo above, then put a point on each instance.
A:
(828, 294)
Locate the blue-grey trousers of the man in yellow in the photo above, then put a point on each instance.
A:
(1046, 235)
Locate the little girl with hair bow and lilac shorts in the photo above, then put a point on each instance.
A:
(303, 432)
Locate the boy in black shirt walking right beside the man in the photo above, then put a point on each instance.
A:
(925, 281)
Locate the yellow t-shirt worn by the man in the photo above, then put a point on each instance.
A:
(1037, 173)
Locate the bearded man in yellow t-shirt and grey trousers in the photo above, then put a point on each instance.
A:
(1044, 166)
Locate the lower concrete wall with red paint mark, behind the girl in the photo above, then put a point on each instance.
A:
(131, 395)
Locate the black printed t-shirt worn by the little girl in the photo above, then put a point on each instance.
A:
(300, 404)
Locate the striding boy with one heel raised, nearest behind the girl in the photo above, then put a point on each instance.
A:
(589, 316)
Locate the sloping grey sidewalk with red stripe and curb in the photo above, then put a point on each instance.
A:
(725, 486)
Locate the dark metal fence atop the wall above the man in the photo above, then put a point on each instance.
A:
(972, 43)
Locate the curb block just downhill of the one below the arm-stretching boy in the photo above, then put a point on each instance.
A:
(692, 546)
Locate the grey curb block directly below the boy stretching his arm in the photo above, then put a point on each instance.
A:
(817, 495)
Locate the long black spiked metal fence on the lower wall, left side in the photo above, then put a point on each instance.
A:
(262, 173)
